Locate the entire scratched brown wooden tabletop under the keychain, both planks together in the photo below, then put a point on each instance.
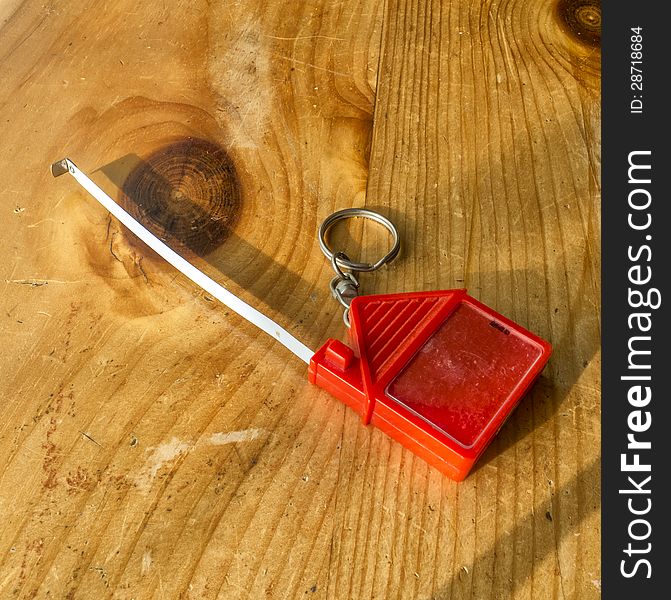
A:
(154, 445)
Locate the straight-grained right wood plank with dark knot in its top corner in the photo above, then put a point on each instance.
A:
(486, 152)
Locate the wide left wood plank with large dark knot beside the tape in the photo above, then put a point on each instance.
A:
(124, 383)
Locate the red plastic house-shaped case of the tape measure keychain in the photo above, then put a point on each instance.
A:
(437, 371)
